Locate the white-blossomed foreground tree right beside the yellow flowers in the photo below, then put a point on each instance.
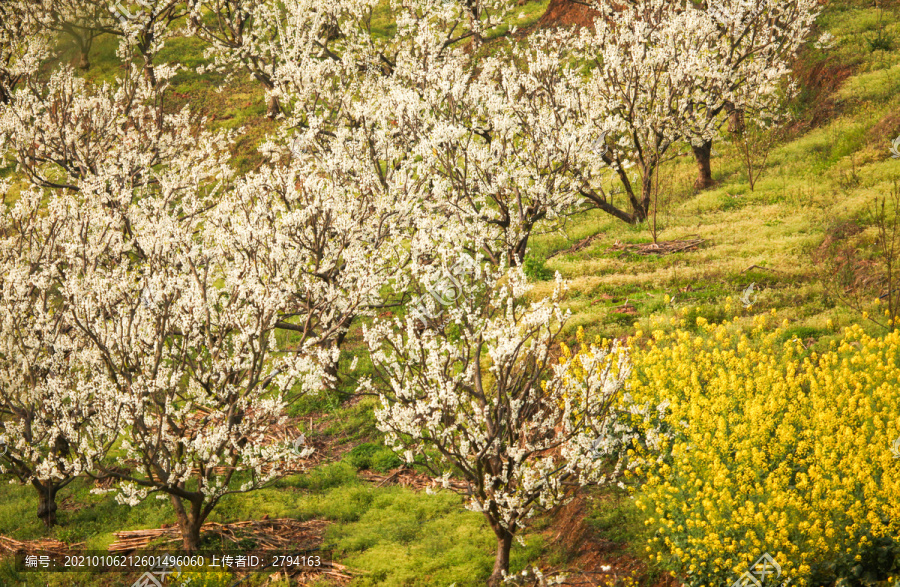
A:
(477, 394)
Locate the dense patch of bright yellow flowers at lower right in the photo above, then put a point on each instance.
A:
(771, 449)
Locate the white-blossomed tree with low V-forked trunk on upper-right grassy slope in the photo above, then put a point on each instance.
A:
(647, 62)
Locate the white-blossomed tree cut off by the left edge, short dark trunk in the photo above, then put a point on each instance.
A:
(57, 418)
